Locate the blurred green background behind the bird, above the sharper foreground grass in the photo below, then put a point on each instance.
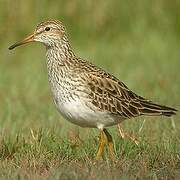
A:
(137, 41)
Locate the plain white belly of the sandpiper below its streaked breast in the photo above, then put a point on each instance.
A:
(79, 113)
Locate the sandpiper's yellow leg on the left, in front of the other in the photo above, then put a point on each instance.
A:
(102, 142)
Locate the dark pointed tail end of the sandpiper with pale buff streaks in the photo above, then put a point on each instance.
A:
(152, 109)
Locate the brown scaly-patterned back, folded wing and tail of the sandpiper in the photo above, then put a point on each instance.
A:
(109, 94)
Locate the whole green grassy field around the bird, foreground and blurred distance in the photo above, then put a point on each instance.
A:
(139, 45)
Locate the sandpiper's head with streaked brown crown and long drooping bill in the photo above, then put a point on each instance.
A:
(48, 33)
